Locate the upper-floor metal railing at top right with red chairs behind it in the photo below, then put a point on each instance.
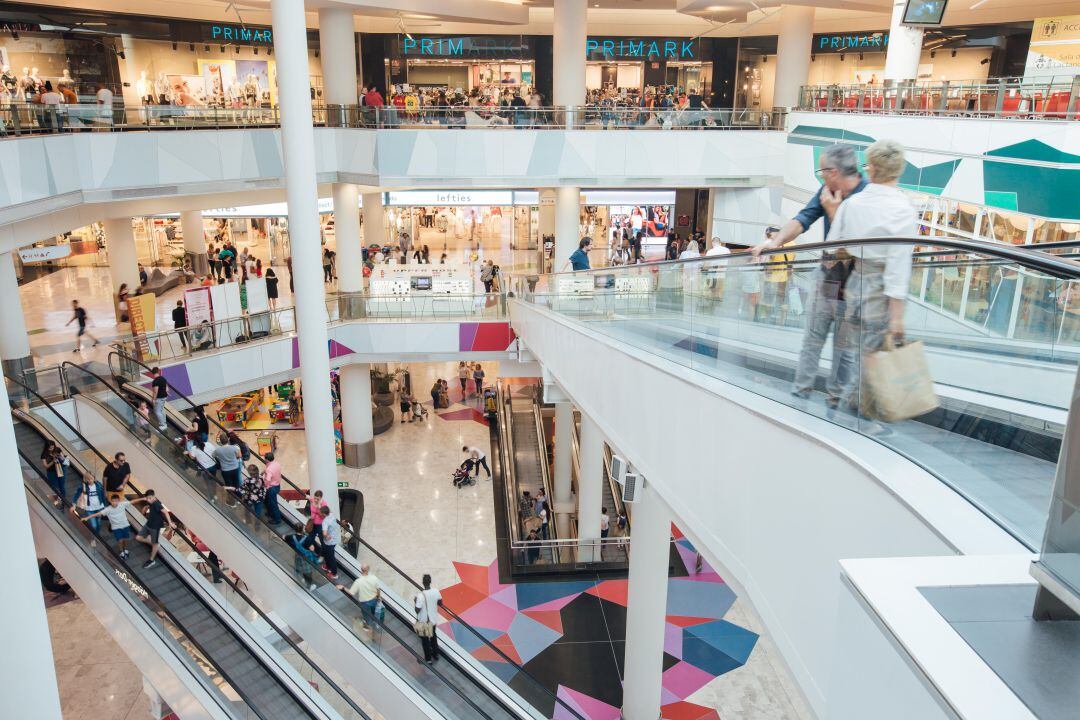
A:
(1057, 99)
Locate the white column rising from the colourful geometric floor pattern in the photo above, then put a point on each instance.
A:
(647, 607)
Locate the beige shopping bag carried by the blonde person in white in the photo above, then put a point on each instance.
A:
(897, 383)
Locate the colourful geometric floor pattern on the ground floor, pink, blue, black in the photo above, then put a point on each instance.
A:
(571, 635)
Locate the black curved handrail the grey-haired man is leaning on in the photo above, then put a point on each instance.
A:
(1051, 265)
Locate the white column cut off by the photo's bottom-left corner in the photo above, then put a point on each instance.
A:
(31, 673)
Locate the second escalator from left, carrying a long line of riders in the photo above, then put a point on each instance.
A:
(393, 671)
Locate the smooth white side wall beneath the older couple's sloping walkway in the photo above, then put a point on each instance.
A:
(776, 497)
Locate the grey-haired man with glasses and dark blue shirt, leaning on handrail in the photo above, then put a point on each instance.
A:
(839, 170)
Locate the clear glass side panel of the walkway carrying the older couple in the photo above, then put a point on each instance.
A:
(712, 316)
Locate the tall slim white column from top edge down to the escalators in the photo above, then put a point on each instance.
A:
(299, 147)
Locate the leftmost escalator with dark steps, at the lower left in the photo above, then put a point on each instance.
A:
(253, 680)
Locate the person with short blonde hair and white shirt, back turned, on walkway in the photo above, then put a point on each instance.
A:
(879, 286)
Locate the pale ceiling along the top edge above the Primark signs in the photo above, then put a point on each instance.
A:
(618, 18)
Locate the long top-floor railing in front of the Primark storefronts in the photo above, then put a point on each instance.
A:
(22, 119)
